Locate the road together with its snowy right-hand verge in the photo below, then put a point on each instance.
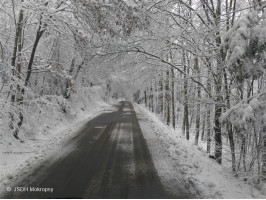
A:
(125, 152)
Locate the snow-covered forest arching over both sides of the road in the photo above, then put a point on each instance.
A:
(199, 64)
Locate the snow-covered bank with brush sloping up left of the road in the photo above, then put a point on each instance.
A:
(45, 130)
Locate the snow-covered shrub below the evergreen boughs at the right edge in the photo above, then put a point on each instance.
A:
(248, 120)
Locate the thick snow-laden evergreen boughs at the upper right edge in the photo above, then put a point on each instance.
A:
(245, 46)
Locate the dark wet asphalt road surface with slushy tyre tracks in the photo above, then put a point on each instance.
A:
(110, 160)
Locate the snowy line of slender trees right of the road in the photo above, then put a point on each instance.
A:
(212, 78)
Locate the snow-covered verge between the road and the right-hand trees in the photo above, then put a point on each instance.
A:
(183, 166)
